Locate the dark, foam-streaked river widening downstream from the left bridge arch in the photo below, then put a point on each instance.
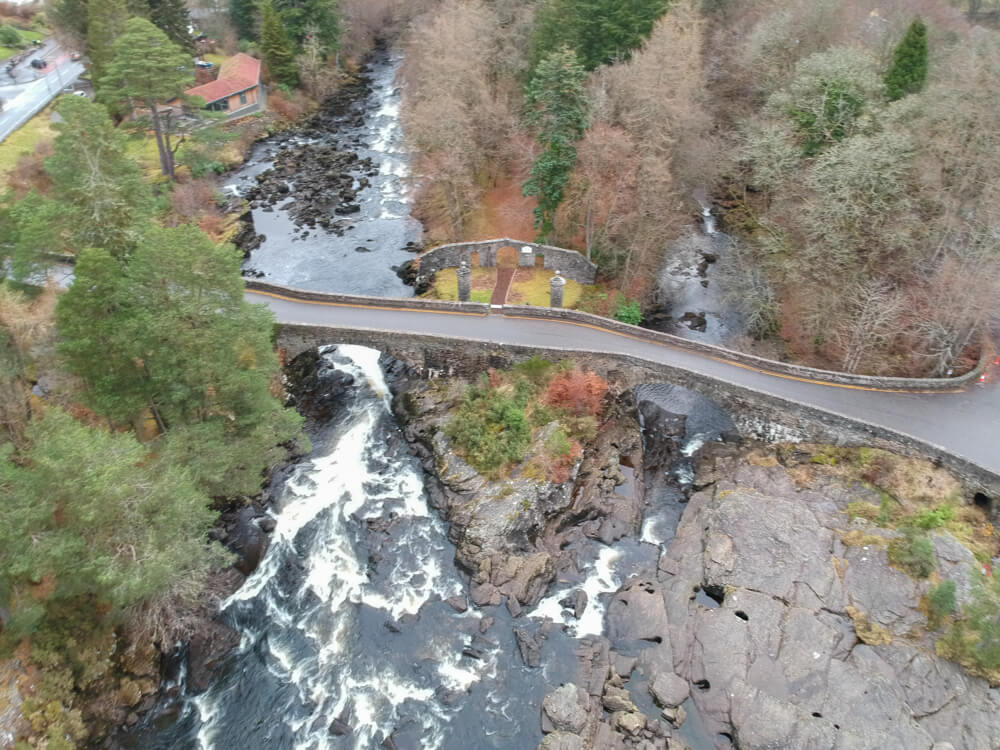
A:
(347, 639)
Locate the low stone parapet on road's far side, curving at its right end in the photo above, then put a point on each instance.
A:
(758, 363)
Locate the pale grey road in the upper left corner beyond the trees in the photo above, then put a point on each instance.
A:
(25, 90)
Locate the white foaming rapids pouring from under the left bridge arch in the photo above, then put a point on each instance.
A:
(309, 637)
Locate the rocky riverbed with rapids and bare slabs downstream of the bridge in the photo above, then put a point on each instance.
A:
(680, 589)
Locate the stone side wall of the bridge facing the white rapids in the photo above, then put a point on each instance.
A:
(759, 415)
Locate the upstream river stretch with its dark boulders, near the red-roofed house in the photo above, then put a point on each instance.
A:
(327, 203)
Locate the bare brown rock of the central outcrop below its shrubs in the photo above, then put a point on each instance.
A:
(510, 533)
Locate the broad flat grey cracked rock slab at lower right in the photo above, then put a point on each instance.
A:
(778, 663)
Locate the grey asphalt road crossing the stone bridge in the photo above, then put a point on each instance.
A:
(966, 423)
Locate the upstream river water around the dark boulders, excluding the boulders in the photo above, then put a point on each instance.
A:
(319, 259)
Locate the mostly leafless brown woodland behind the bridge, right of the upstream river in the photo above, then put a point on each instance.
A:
(850, 145)
